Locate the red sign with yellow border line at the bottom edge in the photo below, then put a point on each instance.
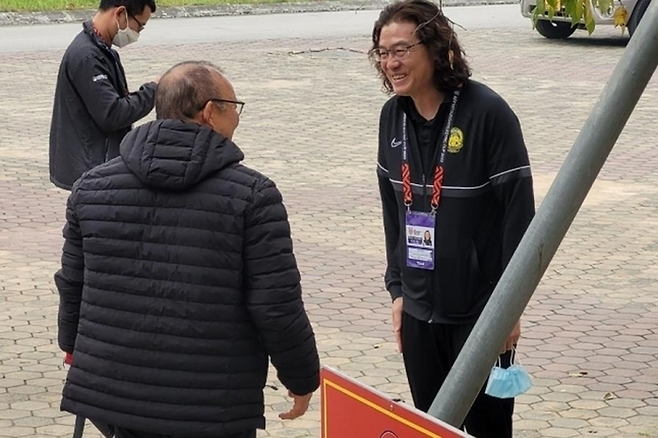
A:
(353, 410)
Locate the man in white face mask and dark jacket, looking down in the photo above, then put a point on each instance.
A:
(93, 108)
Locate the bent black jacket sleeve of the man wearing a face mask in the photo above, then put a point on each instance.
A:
(110, 110)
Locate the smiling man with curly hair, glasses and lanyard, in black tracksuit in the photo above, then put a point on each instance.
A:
(485, 199)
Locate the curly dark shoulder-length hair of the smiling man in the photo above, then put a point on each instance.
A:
(435, 31)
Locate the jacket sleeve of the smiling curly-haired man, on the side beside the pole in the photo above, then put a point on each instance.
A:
(509, 170)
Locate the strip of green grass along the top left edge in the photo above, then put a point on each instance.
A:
(58, 5)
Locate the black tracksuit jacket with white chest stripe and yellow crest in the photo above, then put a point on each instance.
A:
(486, 202)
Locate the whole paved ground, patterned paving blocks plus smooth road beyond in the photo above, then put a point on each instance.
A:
(591, 331)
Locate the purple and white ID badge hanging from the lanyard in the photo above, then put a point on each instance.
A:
(420, 240)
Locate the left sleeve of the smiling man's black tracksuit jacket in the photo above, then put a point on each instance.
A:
(391, 218)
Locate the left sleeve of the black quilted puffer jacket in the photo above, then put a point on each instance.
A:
(69, 280)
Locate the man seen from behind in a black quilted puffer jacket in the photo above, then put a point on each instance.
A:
(178, 278)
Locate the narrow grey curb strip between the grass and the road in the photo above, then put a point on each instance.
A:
(78, 16)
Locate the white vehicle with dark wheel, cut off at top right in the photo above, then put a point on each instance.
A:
(560, 26)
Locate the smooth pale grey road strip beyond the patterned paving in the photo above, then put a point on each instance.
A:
(252, 28)
